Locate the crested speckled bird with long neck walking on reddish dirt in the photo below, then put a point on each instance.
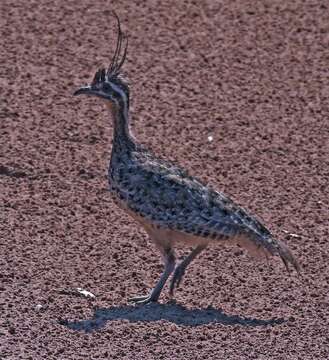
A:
(172, 206)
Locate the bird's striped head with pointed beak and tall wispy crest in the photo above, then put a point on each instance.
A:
(108, 84)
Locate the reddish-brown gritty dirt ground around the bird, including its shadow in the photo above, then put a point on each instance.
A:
(235, 91)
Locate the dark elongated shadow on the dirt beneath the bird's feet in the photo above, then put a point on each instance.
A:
(171, 312)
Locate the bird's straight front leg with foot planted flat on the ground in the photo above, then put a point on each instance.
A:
(169, 262)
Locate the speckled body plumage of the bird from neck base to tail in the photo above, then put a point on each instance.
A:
(166, 196)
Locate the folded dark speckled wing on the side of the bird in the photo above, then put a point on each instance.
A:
(166, 193)
